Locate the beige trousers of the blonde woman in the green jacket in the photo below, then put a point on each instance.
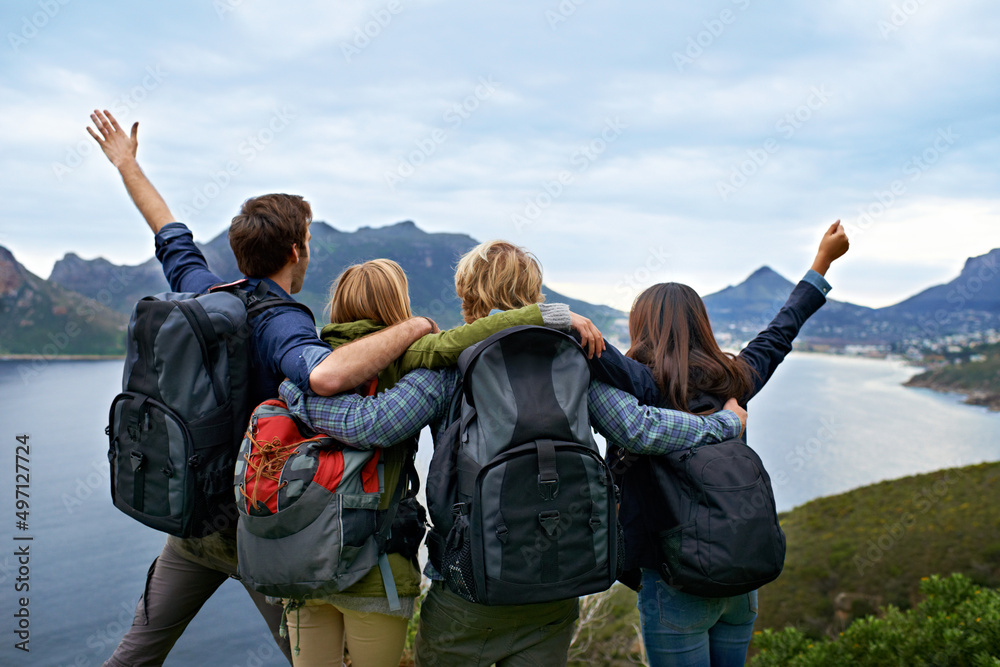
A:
(321, 631)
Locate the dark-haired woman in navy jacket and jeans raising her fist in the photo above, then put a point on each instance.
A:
(675, 362)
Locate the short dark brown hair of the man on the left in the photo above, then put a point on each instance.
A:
(263, 233)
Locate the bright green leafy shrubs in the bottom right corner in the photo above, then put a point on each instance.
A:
(957, 623)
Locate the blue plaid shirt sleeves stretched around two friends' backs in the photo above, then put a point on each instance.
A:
(424, 397)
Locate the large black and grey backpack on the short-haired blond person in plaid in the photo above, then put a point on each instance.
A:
(523, 505)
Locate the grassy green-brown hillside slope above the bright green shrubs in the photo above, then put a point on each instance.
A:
(852, 553)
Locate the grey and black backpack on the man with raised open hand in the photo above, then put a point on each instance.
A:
(176, 427)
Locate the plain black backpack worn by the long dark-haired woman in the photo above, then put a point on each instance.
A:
(711, 516)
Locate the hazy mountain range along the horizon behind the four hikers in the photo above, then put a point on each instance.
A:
(83, 307)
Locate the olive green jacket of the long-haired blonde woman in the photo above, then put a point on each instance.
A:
(432, 351)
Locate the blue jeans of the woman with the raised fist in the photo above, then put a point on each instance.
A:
(684, 630)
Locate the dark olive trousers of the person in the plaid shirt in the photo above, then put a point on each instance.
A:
(457, 633)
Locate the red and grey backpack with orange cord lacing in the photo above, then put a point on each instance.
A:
(309, 520)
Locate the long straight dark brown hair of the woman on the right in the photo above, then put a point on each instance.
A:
(672, 335)
